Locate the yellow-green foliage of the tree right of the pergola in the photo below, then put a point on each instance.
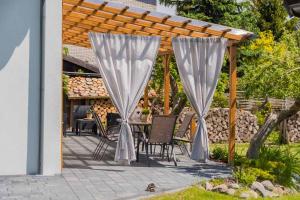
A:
(272, 68)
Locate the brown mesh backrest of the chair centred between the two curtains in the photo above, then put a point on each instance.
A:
(162, 128)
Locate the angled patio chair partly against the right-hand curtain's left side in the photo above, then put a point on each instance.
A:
(181, 137)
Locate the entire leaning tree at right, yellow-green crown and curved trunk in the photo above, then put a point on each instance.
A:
(272, 70)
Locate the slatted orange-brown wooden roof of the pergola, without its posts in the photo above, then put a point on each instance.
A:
(83, 16)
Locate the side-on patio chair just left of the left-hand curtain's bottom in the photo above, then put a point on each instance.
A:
(106, 137)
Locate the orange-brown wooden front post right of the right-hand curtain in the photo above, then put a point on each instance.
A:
(232, 102)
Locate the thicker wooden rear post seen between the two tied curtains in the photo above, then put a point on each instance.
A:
(166, 64)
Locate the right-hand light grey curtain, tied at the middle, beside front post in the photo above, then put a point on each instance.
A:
(199, 62)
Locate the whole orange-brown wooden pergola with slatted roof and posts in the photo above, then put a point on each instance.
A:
(83, 16)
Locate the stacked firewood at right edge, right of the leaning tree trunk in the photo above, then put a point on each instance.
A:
(293, 128)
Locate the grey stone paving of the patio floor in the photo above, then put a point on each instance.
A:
(86, 179)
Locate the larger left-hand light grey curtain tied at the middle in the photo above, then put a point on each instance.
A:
(125, 64)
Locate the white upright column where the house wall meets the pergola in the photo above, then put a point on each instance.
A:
(51, 116)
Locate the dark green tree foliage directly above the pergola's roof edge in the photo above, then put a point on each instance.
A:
(226, 12)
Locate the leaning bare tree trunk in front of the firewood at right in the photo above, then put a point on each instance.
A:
(272, 121)
